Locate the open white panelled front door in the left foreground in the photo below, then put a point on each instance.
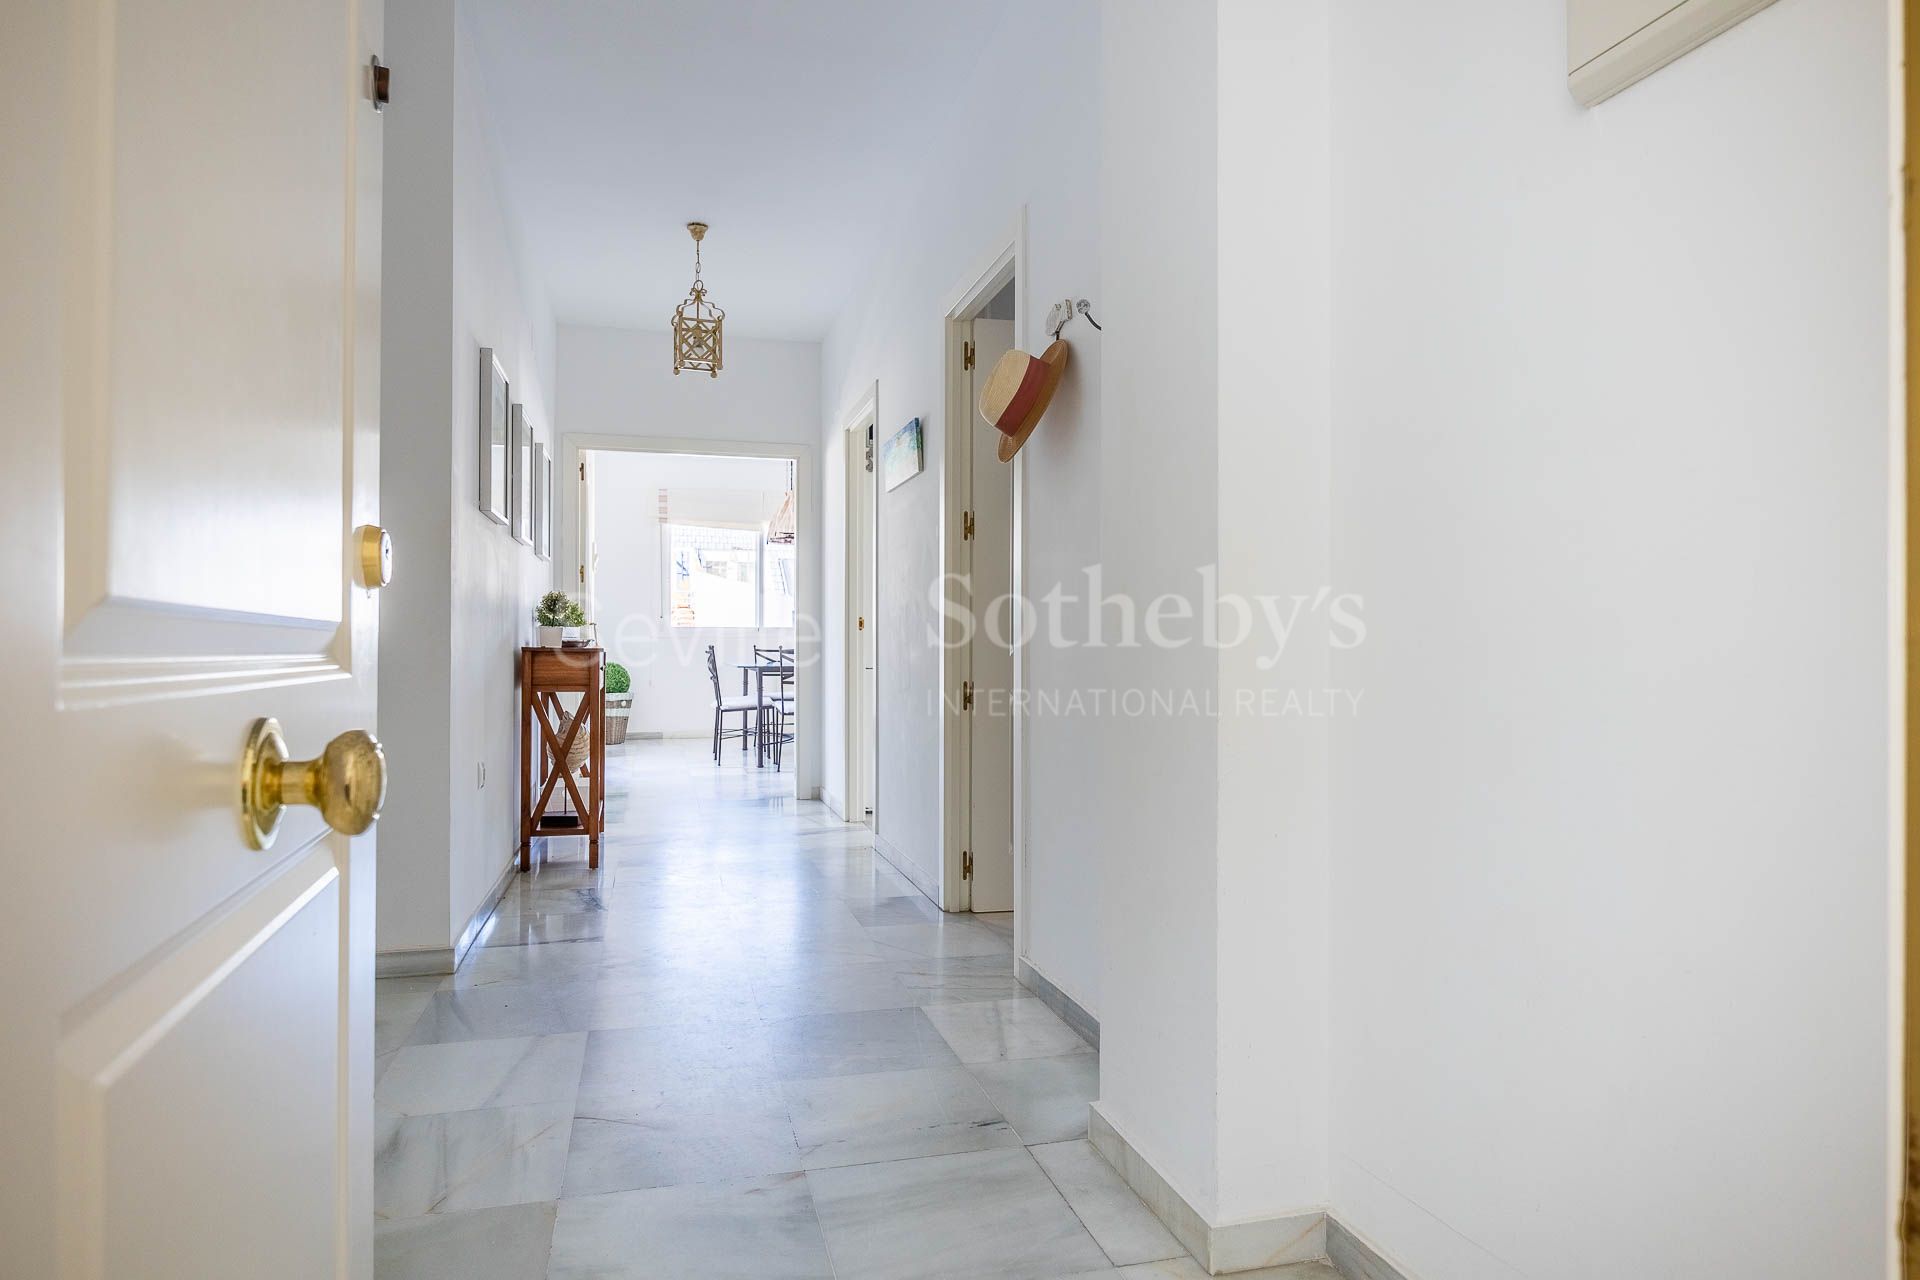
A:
(191, 344)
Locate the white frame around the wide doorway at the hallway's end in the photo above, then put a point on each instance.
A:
(807, 621)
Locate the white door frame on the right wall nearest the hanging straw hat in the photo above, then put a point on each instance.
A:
(1005, 260)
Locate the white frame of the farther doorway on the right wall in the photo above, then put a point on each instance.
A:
(863, 534)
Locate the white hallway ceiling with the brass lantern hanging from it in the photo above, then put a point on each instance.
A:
(800, 130)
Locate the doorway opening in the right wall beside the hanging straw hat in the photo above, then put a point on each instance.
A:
(984, 496)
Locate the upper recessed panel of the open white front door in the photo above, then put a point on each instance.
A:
(214, 273)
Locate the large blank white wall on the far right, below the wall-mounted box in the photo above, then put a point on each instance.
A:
(1612, 465)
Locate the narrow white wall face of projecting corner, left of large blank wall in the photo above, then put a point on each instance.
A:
(1274, 857)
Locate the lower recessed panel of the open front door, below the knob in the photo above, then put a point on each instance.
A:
(231, 1043)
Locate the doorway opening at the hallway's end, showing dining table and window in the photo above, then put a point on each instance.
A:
(690, 563)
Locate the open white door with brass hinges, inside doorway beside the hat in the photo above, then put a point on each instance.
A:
(992, 655)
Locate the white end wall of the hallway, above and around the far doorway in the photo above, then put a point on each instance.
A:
(621, 383)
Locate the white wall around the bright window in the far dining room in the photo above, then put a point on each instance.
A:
(673, 692)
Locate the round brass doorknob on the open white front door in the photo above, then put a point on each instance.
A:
(347, 782)
